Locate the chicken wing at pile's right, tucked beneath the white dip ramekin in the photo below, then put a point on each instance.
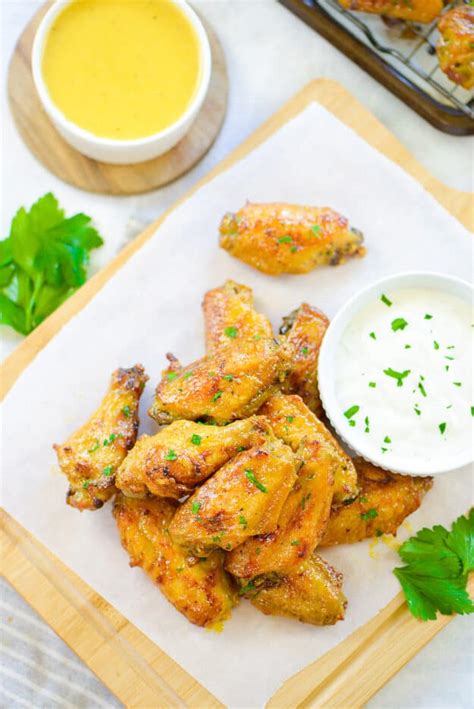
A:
(385, 500)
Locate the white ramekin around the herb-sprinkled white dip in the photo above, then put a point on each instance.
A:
(327, 375)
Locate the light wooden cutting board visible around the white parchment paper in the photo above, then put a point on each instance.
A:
(136, 670)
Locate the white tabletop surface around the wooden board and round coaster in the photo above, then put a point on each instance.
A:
(270, 56)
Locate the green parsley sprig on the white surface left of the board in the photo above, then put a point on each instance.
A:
(42, 262)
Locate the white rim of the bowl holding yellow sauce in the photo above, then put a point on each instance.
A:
(58, 115)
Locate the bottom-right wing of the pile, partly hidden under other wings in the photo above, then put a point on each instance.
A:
(311, 594)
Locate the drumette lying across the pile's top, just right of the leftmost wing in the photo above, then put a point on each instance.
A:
(184, 454)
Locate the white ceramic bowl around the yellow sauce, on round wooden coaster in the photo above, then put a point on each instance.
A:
(108, 149)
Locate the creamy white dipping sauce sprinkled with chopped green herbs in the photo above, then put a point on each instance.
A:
(405, 361)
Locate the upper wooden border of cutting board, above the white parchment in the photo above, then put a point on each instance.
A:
(328, 93)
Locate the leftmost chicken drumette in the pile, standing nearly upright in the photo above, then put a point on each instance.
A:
(91, 456)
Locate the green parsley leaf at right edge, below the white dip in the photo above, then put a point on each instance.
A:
(437, 565)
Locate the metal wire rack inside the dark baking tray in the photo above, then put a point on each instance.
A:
(408, 45)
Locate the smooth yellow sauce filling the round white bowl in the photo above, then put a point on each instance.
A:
(122, 69)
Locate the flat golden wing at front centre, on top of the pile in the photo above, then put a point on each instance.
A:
(243, 498)
